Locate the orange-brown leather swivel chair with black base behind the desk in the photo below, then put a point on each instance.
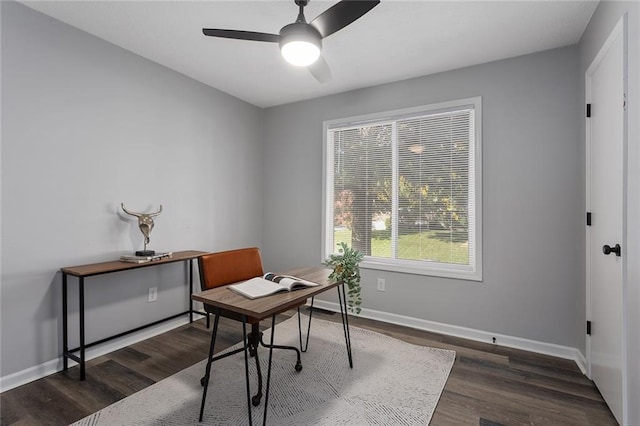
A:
(228, 267)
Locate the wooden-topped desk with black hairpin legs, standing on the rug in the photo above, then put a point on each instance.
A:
(265, 307)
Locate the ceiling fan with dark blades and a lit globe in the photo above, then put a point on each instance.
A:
(301, 42)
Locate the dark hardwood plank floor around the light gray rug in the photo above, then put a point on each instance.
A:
(489, 385)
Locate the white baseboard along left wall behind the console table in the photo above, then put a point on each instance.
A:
(30, 374)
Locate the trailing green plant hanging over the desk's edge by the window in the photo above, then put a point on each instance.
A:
(346, 269)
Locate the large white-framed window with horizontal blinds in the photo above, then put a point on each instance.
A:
(403, 187)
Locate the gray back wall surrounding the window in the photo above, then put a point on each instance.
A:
(532, 195)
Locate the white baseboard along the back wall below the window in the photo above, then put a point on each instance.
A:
(559, 351)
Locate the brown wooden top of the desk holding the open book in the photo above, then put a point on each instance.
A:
(264, 307)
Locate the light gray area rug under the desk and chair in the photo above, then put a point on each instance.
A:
(391, 383)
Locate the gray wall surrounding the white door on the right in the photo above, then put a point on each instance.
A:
(602, 23)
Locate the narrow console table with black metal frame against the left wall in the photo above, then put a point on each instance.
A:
(84, 271)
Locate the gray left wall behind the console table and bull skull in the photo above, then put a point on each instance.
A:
(86, 125)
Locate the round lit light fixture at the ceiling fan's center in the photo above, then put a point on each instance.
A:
(300, 44)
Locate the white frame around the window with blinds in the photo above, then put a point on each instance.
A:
(465, 272)
